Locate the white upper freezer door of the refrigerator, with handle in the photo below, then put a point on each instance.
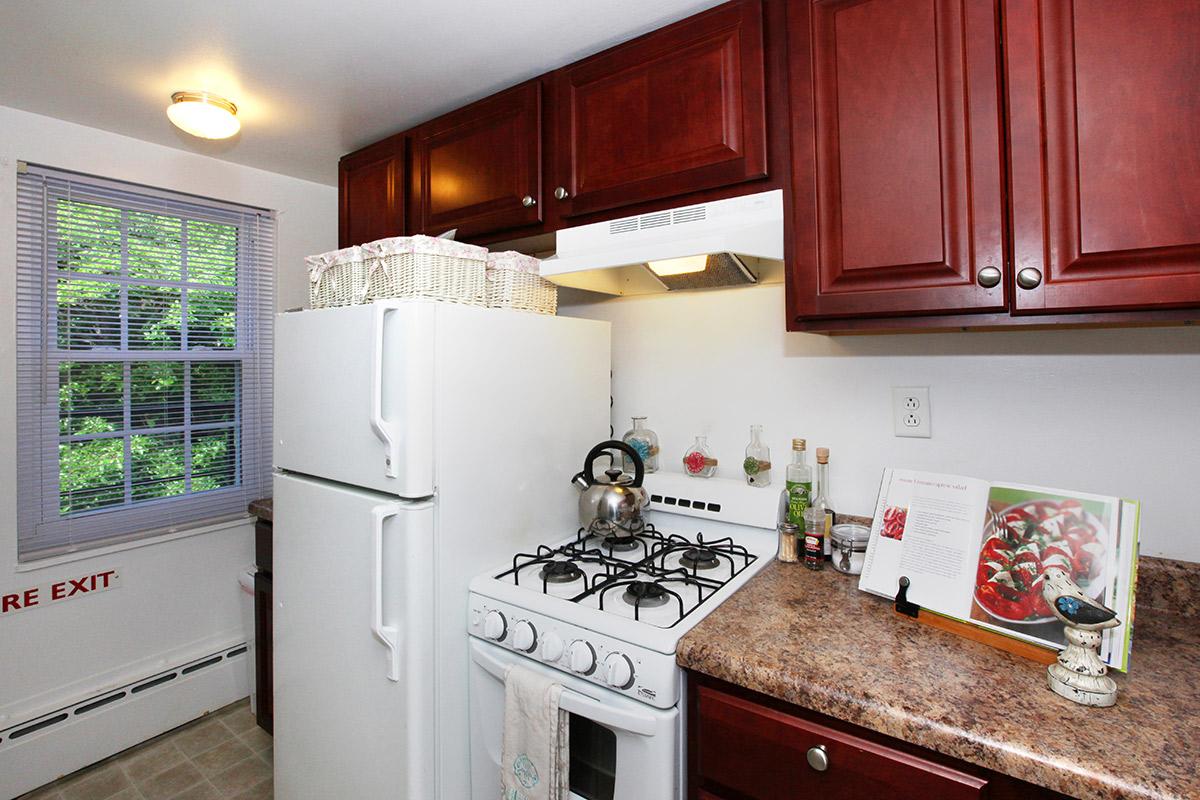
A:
(355, 395)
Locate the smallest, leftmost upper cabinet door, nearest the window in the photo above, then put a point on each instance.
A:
(371, 194)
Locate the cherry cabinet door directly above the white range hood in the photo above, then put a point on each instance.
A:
(675, 112)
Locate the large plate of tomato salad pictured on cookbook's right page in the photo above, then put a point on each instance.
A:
(1025, 540)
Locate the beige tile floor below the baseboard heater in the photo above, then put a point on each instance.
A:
(223, 756)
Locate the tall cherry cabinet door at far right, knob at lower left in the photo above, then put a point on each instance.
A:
(1105, 109)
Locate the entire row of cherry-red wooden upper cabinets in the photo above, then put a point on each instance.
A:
(945, 163)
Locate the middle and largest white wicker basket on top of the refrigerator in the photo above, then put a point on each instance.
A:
(423, 267)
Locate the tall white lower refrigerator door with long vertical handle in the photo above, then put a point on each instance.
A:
(355, 708)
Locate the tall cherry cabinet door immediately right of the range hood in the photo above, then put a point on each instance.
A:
(897, 158)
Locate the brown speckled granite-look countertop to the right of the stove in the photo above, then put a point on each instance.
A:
(814, 640)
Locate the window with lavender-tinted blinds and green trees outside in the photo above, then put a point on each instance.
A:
(143, 360)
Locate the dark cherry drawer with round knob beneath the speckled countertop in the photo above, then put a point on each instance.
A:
(759, 753)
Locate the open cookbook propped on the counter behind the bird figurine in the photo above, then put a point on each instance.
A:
(976, 552)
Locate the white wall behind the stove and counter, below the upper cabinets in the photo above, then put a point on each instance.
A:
(1100, 411)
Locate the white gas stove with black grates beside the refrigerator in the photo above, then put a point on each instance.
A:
(603, 616)
